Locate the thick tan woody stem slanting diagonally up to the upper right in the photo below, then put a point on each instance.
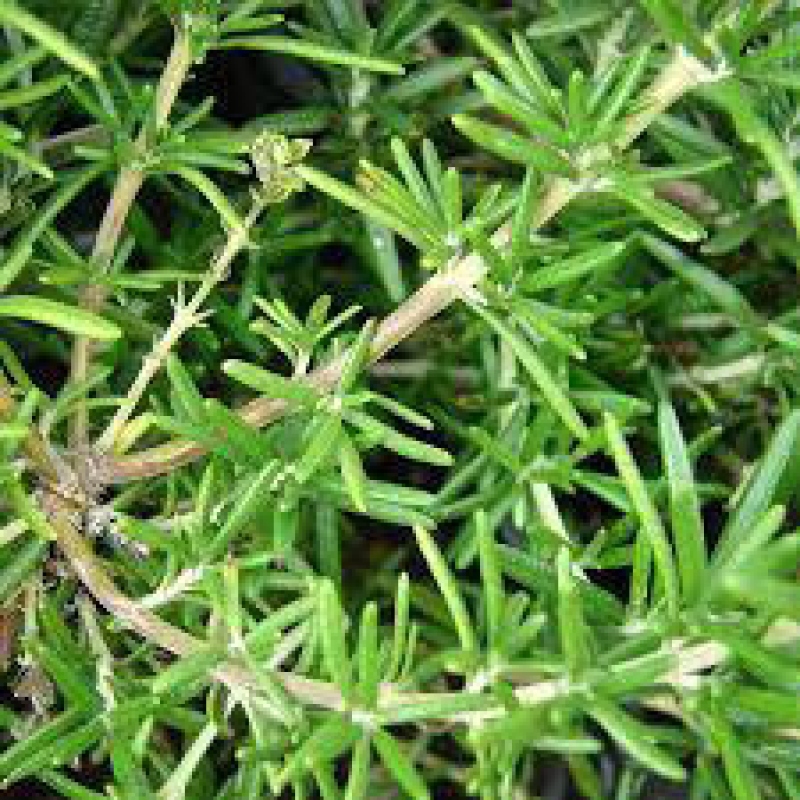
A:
(681, 74)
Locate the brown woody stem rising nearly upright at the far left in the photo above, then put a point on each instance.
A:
(126, 189)
